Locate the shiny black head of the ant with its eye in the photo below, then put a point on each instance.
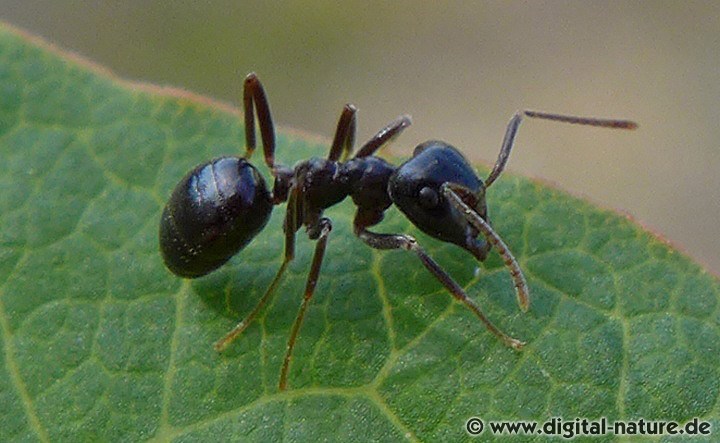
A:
(416, 188)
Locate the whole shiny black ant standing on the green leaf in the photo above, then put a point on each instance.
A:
(221, 205)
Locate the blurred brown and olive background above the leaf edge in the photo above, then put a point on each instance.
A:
(460, 69)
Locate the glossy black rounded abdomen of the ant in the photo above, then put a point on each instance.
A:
(213, 213)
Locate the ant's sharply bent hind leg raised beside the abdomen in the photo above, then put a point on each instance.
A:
(254, 97)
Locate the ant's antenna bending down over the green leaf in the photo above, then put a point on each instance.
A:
(462, 199)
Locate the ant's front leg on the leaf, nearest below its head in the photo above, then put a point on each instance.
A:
(399, 241)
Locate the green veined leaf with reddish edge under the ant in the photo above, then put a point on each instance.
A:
(101, 342)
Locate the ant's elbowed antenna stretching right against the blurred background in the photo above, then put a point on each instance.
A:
(516, 119)
